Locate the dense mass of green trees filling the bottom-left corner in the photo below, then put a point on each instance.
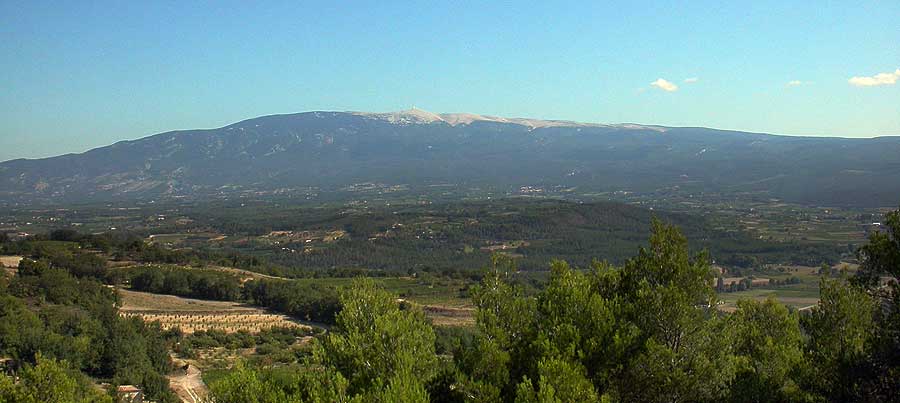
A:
(46, 314)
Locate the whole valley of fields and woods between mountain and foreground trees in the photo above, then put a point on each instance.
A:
(259, 281)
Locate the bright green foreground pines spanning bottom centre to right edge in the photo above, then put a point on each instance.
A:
(647, 331)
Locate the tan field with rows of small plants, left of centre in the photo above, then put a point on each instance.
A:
(191, 315)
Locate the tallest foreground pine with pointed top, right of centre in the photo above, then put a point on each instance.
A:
(669, 296)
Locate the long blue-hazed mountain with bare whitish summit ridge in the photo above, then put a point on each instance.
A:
(333, 150)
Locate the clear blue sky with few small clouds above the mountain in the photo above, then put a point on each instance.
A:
(77, 75)
